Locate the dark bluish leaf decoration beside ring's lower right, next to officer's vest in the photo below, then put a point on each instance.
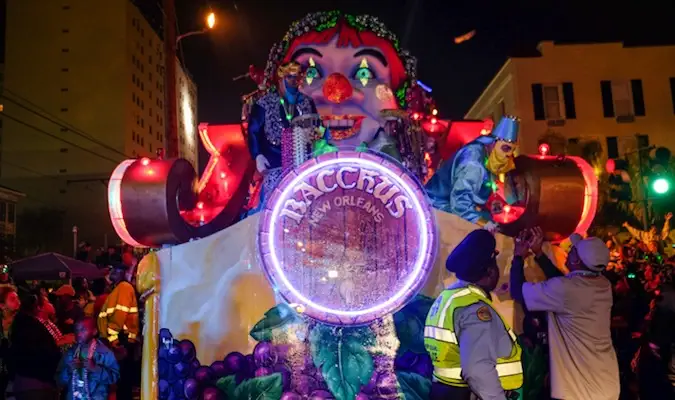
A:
(409, 322)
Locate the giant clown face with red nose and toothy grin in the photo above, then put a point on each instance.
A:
(350, 86)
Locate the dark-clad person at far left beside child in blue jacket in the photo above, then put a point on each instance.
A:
(33, 353)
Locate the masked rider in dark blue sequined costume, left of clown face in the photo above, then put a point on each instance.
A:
(270, 117)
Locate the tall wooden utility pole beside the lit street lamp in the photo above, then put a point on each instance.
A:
(170, 99)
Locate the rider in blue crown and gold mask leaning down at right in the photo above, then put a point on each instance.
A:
(463, 184)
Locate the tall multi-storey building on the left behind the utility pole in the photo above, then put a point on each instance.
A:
(84, 89)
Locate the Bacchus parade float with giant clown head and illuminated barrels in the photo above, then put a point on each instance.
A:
(322, 292)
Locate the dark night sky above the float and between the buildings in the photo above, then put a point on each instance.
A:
(457, 73)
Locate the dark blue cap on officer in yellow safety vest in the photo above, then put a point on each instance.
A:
(473, 256)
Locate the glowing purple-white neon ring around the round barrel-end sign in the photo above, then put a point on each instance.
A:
(422, 214)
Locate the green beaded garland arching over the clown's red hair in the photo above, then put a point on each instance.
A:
(321, 21)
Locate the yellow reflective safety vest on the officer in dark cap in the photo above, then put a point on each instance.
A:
(442, 343)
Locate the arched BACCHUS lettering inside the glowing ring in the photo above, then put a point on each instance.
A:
(347, 178)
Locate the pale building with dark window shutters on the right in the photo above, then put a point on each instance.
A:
(621, 97)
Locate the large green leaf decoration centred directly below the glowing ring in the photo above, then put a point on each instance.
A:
(341, 355)
